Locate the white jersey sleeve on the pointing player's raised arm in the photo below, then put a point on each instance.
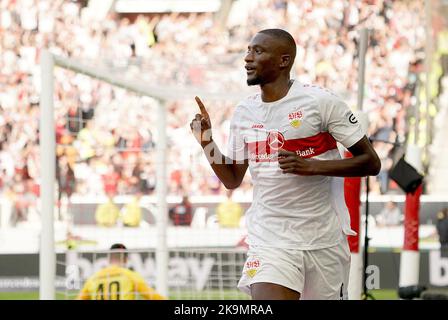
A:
(236, 145)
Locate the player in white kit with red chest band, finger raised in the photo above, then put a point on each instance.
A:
(286, 135)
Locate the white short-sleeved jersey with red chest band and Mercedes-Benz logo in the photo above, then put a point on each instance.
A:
(289, 210)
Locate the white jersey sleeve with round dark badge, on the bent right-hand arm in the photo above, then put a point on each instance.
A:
(339, 121)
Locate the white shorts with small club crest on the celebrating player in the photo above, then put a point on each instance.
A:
(320, 274)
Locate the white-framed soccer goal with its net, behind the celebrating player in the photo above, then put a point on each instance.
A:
(112, 172)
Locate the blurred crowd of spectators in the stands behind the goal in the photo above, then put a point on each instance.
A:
(106, 136)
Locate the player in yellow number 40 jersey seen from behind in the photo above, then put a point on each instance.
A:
(116, 282)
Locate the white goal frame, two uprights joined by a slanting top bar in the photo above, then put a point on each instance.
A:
(47, 258)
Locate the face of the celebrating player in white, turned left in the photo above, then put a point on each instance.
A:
(261, 60)
